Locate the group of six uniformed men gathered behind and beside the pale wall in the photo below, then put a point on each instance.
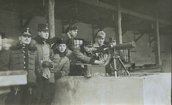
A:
(47, 60)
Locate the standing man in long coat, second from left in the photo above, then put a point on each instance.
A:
(45, 85)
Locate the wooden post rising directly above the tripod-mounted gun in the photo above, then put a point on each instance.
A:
(119, 38)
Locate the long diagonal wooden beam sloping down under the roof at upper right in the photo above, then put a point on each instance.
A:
(123, 10)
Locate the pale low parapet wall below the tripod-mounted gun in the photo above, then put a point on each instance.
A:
(137, 90)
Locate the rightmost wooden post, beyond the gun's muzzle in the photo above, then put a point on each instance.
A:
(158, 50)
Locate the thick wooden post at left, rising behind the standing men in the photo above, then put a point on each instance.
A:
(51, 17)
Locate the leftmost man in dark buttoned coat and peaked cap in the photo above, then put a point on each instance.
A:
(23, 56)
